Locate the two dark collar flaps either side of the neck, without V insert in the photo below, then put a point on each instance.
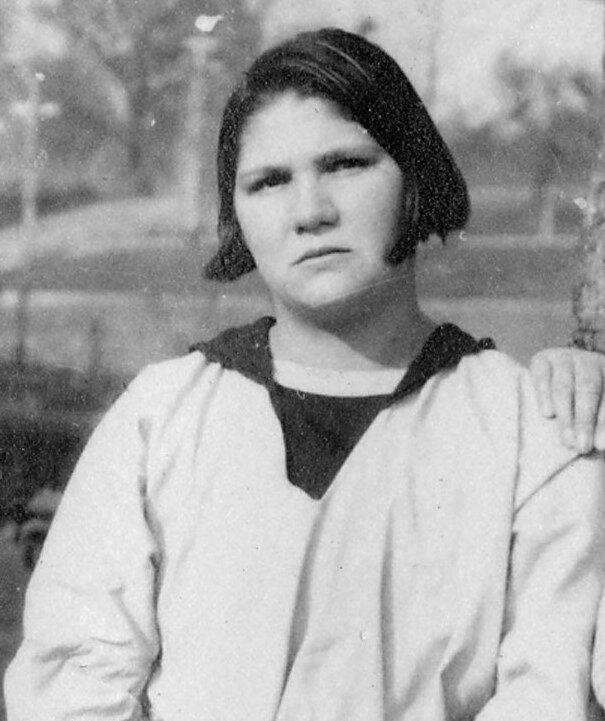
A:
(246, 350)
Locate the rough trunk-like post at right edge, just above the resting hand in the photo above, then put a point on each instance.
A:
(589, 295)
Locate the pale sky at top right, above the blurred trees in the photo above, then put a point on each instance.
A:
(472, 34)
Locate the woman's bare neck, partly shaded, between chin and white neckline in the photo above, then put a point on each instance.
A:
(385, 330)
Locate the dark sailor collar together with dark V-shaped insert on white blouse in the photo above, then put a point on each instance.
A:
(318, 436)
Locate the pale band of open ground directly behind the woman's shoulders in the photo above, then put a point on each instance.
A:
(136, 332)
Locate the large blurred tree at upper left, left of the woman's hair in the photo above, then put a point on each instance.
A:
(128, 67)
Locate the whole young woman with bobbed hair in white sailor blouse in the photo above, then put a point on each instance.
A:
(343, 512)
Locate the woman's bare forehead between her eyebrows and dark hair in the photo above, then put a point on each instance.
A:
(291, 126)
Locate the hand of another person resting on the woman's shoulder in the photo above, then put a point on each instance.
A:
(571, 386)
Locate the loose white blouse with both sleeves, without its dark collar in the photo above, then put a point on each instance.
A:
(452, 570)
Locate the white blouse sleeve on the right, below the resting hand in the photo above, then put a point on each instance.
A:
(554, 586)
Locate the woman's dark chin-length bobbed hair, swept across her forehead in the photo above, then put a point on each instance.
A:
(368, 86)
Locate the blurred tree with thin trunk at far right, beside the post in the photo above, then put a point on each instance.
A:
(556, 110)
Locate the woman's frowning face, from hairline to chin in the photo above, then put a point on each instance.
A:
(319, 203)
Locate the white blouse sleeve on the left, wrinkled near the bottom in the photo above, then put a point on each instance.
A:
(90, 636)
